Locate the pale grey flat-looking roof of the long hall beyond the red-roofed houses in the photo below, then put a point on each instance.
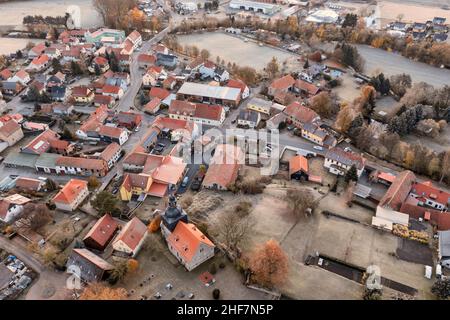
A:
(204, 90)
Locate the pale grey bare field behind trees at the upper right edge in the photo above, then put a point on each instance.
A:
(390, 63)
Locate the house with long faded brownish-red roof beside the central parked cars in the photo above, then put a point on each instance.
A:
(224, 167)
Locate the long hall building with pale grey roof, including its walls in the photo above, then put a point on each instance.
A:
(203, 93)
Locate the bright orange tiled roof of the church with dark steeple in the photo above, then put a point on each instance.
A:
(186, 239)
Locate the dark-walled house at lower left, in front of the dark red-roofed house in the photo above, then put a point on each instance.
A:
(92, 268)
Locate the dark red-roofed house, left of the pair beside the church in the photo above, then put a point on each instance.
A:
(101, 233)
